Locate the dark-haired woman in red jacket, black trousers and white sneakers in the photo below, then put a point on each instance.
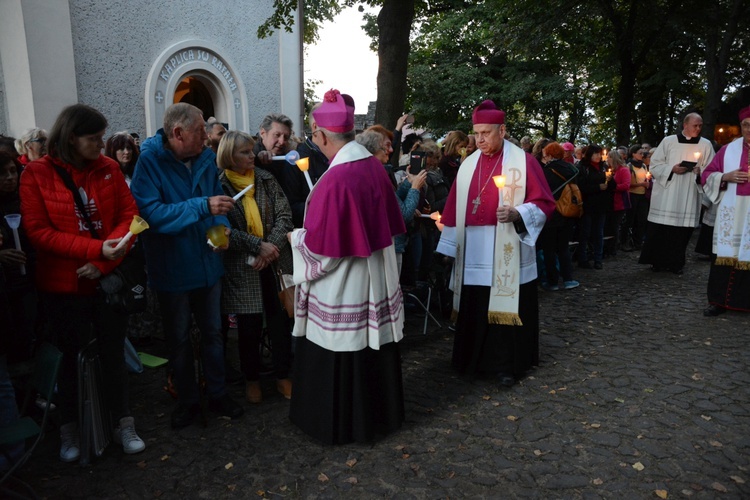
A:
(74, 250)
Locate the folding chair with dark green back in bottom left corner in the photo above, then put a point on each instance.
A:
(42, 381)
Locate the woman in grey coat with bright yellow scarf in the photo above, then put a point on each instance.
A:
(258, 247)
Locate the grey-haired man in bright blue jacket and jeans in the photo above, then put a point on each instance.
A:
(176, 187)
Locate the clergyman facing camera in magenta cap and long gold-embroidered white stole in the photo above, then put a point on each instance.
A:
(493, 241)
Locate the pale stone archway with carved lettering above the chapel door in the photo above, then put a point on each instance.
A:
(202, 62)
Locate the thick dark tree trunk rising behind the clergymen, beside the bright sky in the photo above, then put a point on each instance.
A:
(394, 27)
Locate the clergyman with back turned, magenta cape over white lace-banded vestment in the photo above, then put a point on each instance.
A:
(349, 313)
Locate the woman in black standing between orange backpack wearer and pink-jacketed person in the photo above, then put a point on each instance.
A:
(596, 188)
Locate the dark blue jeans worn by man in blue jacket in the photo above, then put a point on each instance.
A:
(178, 310)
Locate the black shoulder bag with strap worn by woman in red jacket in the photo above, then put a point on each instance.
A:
(125, 287)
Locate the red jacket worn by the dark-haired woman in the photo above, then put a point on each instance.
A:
(60, 237)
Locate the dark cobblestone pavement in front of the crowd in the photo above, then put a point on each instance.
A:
(638, 395)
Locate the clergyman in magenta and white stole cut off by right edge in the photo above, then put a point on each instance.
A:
(725, 181)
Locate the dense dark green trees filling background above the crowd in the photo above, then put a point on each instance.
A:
(605, 71)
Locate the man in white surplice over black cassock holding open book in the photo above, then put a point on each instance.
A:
(675, 199)
